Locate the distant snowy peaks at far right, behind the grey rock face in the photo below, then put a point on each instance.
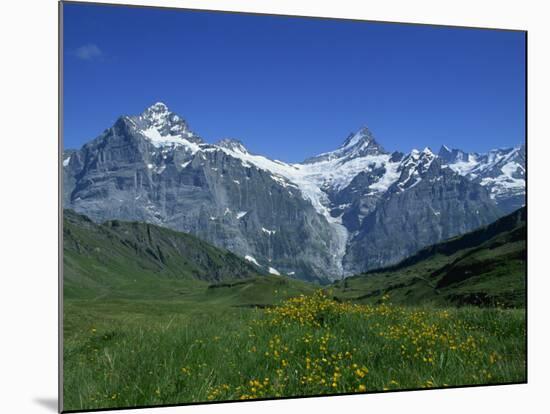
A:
(501, 171)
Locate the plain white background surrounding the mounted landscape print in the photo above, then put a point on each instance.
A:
(28, 207)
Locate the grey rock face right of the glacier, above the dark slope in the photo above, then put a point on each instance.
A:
(429, 202)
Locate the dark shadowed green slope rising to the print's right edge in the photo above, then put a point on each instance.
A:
(483, 267)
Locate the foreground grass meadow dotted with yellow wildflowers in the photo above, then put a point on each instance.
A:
(212, 344)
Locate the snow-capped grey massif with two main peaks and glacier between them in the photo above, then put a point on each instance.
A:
(356, 208)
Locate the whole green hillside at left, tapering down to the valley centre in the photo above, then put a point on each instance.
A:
(134, 260)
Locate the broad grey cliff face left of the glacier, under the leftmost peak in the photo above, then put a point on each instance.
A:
(191, 186)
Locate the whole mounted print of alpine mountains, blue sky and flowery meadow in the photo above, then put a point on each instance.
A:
(262, 206)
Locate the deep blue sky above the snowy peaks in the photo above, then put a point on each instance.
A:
(288, 87)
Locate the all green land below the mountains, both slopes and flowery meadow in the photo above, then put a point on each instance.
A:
(145, 325)
